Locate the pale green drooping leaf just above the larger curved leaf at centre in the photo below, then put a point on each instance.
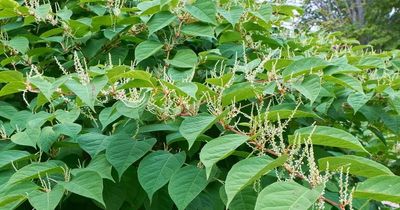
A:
(192, 127)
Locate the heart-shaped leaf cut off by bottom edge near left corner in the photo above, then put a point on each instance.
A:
(47, 200)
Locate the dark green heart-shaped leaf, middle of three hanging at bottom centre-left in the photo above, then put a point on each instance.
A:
(156, 169)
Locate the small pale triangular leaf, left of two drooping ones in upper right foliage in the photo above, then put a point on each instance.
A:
(309, 87)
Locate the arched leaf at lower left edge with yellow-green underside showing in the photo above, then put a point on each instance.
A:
(35, 170)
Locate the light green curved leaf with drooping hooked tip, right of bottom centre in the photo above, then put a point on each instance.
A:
(220, 148)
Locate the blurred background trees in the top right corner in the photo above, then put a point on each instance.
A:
(374, 22)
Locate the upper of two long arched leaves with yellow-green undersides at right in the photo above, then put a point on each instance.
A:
(328, 136)
